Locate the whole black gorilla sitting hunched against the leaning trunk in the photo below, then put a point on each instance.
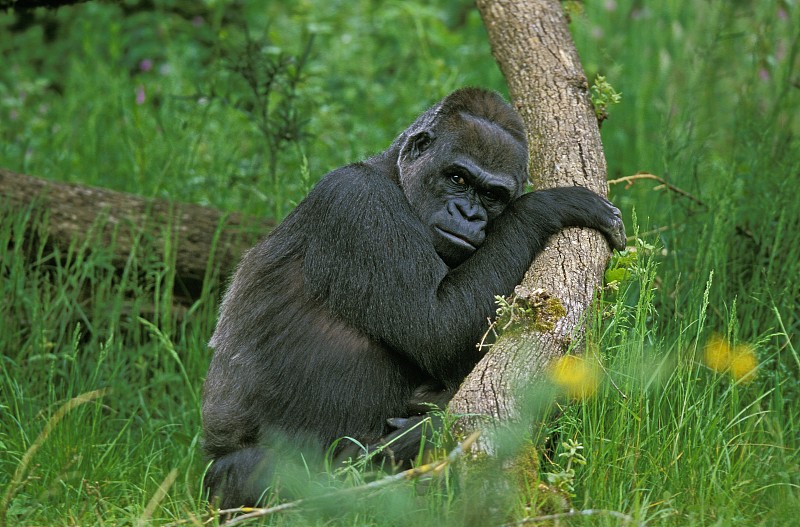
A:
(372, 294)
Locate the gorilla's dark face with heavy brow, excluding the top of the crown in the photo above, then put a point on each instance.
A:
(458, 182)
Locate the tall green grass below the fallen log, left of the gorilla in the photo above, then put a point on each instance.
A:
(71, 325)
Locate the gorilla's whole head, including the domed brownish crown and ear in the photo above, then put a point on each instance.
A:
(454, 187)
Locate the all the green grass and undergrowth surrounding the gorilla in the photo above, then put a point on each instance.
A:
(709, 103)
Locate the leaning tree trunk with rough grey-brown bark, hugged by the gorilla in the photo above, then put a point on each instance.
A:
(531, 42)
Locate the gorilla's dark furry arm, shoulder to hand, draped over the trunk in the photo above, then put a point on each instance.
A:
(369, 259)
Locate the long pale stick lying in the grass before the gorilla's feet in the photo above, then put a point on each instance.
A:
(406, 475)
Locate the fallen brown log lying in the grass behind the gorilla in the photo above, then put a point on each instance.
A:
(195, 239)
